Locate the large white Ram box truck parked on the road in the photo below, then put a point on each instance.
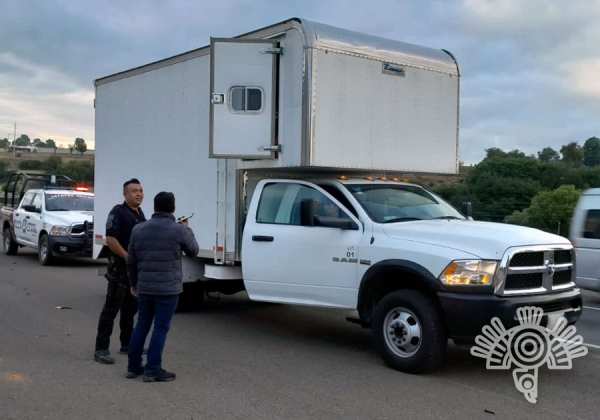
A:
(291, 145)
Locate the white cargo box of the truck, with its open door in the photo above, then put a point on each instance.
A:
(294, 96)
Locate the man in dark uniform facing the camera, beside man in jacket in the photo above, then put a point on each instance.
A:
(121, 220)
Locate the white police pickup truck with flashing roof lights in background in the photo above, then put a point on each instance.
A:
(56, 219)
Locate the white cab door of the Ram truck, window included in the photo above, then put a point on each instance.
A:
(286, 261)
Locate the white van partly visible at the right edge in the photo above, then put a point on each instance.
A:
(585, 236)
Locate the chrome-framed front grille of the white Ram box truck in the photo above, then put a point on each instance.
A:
(536, 270)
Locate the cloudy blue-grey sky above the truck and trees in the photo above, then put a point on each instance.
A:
(530, 68)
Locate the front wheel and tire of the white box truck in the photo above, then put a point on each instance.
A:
(409, 332)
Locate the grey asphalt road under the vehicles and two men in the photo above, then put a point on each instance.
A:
(238, 359)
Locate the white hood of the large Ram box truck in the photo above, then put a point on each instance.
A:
(484, 239)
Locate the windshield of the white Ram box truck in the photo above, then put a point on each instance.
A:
(399, 203)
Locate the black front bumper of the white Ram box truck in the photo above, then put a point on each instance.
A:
(467, 314)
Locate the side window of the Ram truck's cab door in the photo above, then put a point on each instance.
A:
(280, 203)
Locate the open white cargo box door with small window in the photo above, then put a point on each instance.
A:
(242, 109)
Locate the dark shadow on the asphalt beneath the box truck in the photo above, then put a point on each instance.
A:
(307, 328)
